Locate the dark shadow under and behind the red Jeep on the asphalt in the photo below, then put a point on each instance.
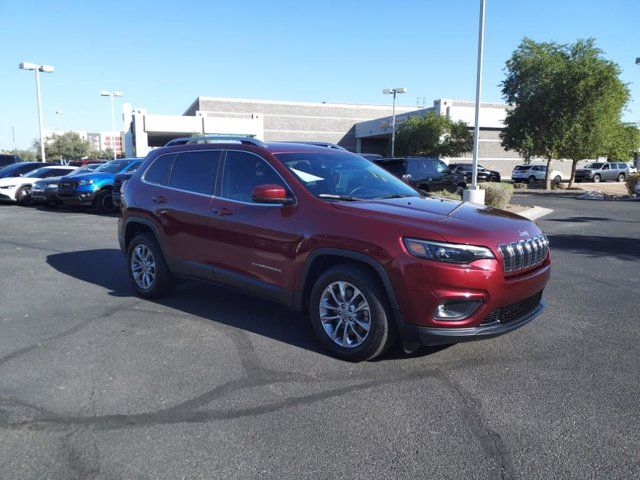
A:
(107, 268)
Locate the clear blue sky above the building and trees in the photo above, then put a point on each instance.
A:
(162, 55)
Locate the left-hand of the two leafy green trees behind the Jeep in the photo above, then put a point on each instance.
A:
(532, 90)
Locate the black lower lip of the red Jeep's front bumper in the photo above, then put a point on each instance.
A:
(432, 336)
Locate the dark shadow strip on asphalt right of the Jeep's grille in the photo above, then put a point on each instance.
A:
(621, 247)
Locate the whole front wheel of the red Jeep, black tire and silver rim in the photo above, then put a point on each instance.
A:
(381, 329)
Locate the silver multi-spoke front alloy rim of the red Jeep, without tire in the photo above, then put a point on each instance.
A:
(345, 314)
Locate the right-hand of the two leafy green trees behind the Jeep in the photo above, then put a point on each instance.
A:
(593, 103)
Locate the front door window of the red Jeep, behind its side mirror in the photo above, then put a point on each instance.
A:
(244, 171)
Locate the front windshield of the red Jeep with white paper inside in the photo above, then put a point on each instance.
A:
(344, 175)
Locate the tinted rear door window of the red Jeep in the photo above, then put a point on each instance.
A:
(195, 171)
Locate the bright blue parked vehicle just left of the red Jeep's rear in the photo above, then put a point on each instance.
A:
(95, 188)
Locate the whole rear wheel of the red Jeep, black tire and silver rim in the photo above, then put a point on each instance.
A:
(161, 281)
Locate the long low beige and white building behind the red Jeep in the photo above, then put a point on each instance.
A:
(357, 127)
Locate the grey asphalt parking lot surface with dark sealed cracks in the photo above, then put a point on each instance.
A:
(210, 383)
